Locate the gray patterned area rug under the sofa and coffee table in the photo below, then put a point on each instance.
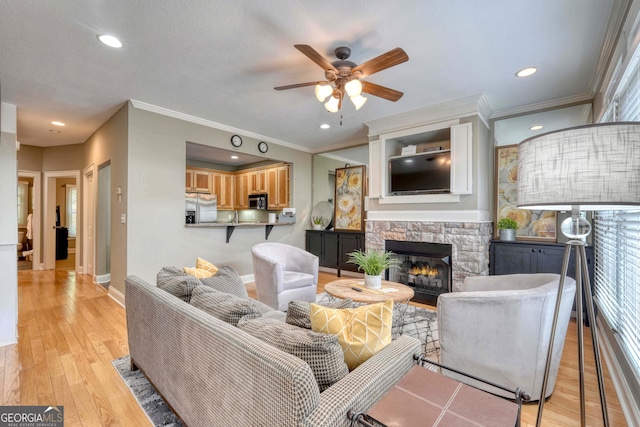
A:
(417, 322)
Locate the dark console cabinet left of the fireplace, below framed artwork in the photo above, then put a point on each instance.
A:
(333, 247)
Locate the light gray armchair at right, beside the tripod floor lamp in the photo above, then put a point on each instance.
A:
(497, 328)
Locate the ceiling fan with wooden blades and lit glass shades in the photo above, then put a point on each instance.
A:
(344, 76)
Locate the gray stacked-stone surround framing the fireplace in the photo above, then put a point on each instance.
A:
(469, 242)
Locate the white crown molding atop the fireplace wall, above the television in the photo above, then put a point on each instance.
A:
(475, 105)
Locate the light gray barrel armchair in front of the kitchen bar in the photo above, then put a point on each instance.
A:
(284, 273)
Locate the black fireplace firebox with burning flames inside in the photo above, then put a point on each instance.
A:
(425, 267)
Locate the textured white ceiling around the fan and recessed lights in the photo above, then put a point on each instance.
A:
(219, 60)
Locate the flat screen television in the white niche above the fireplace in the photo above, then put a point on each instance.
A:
(421, 173)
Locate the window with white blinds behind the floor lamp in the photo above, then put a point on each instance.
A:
(617, 240)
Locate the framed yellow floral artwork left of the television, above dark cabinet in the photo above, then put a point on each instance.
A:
(349, 199)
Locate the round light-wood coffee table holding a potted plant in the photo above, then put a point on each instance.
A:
(343, 289)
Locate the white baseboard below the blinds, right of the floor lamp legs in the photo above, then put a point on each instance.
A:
(628, 404)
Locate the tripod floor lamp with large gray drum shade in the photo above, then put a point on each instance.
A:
(593, 167)
